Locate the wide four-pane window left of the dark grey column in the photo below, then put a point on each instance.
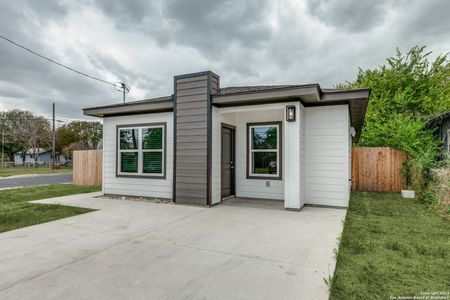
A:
(141, 150)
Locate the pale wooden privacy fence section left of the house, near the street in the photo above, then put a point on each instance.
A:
(87, 167)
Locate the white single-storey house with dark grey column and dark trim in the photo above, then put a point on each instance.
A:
(204, 143)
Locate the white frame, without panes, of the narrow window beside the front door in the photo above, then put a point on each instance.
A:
(250, 174)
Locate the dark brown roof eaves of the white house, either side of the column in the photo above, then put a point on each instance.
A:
(308, 94)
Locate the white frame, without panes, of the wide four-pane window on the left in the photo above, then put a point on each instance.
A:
(140, 151)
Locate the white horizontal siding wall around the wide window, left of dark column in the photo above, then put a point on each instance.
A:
(144, 187)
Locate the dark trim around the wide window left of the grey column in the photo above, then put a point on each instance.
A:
(141, 151)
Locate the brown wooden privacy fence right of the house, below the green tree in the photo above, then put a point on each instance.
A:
(377, 169)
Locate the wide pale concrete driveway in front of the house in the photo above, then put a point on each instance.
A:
(141, 250)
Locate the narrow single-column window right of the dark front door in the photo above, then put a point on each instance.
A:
(264, 155)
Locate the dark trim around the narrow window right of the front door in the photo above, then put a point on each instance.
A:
(279, 151)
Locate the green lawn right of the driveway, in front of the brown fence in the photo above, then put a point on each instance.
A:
(391, 247)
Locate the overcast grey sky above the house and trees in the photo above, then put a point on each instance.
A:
(145, 43)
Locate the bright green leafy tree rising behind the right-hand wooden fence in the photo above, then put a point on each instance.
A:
(404, 94)
